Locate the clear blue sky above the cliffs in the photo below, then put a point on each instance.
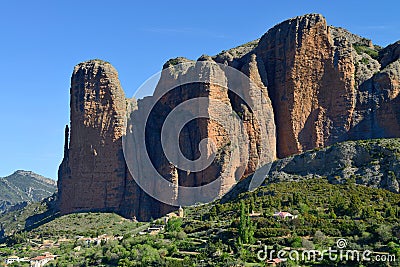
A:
(41, 41)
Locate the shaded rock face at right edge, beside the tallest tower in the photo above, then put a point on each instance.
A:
(376, 114)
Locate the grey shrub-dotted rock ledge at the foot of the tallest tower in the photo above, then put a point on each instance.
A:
(373, 163)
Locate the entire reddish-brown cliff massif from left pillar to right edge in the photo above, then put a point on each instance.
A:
(316, 85)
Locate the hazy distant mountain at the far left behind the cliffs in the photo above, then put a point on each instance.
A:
(22, 187)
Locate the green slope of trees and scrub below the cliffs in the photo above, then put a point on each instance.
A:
(213, 234)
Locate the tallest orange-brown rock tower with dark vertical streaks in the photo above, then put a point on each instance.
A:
(310, 82)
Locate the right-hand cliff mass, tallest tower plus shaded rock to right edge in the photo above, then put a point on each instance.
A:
(326, 84)
